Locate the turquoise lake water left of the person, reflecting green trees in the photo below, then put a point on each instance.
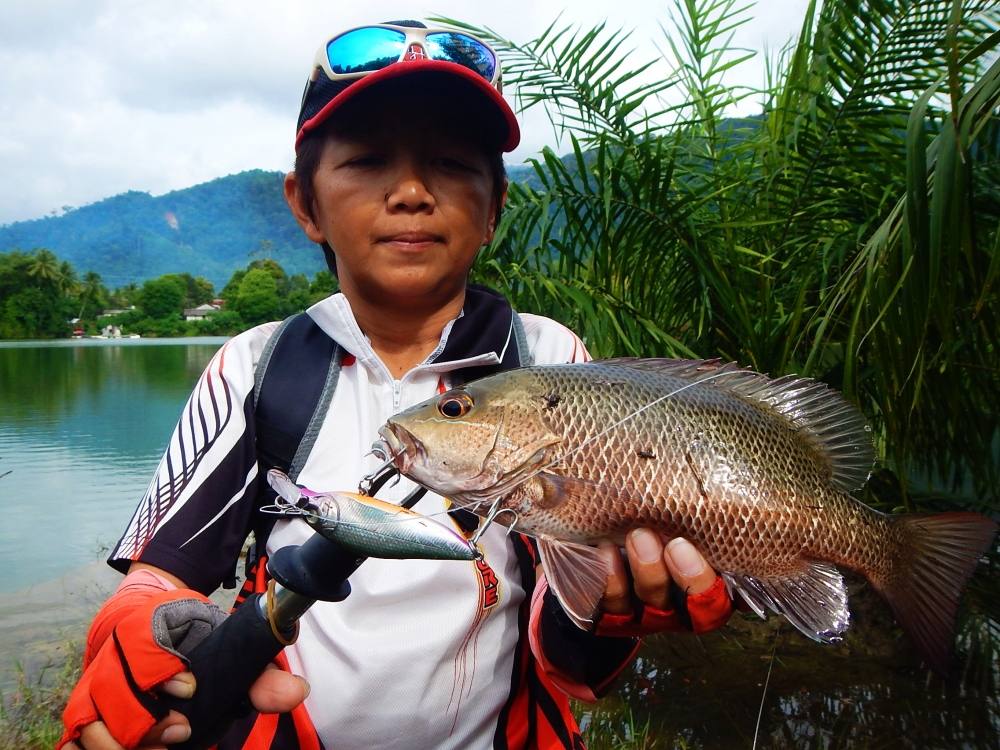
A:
(82, 426)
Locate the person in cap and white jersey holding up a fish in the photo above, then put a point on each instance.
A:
(399, 177)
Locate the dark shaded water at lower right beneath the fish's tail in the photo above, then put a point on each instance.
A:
(869, 691)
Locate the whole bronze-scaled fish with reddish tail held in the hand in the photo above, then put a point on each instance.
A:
(759, 473)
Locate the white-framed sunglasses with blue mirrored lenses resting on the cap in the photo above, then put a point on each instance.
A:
(364, 50)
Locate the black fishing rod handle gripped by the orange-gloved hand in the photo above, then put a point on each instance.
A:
(231, 659)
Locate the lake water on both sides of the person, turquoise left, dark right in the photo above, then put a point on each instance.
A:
(82, 426)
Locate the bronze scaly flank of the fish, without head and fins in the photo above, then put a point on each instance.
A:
(725, 474)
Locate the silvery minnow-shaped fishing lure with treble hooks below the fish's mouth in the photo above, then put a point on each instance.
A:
(368, 526)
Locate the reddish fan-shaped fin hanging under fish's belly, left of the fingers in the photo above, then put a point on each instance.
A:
(577, 575)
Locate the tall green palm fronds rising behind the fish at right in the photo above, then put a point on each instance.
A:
(850, 231)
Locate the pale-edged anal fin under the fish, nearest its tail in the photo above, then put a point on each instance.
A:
(813, 598)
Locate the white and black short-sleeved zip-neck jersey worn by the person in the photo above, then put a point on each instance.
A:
(425, 651)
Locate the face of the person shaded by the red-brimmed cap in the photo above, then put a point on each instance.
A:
(405, 201)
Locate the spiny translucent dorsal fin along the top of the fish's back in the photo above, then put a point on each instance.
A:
(835, 427)
